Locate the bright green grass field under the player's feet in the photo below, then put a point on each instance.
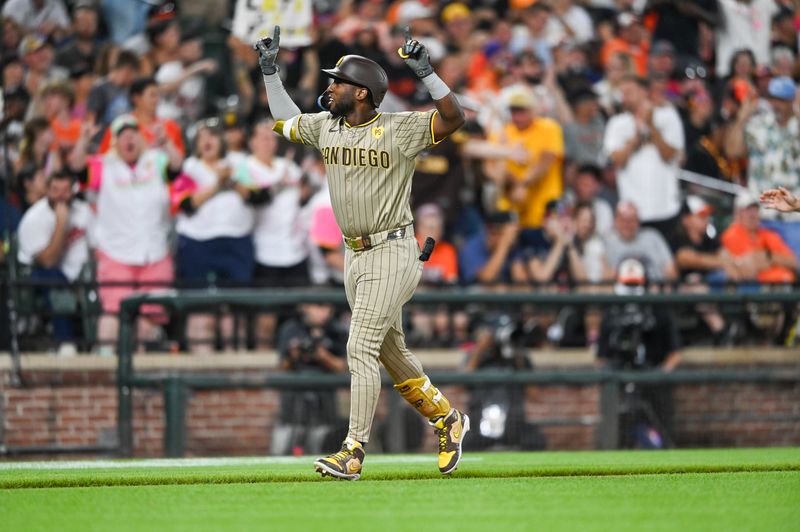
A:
(742, 489)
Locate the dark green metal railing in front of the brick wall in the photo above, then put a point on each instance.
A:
(176, 385)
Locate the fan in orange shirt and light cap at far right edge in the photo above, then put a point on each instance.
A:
(759, 253)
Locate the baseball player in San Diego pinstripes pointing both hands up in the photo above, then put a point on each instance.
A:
(369, 159)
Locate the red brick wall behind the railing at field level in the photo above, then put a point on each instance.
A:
(79, 408)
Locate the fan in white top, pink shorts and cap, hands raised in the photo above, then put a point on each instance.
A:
(131, 183)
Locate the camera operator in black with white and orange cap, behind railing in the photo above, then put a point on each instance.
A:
(640, 337)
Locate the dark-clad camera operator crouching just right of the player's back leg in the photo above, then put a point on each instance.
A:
(500, 345)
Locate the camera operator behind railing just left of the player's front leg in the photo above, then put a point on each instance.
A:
(313, 342)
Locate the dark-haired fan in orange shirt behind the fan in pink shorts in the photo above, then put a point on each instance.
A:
(144, 97)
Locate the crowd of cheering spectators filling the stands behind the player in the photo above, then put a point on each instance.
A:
(124, 144)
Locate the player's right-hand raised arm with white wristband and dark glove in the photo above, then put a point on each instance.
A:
(451, 115)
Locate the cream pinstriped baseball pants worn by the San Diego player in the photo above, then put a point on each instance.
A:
(378, 282)
